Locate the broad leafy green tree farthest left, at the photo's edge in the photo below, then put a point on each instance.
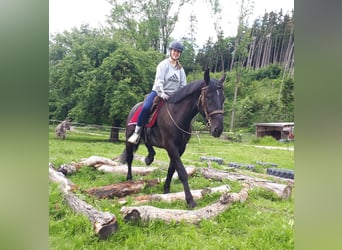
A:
(74, 60)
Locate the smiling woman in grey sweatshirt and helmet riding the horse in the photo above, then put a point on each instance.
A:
(170, 76)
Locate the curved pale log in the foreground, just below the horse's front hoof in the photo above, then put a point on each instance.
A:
(149, 213)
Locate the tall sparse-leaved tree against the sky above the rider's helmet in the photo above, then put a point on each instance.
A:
(146, 23)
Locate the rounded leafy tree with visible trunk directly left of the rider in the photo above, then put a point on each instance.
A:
(127, 75)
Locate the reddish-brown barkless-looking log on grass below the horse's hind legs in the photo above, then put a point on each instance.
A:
(121, 189)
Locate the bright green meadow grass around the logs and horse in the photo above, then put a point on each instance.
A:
(262, 222)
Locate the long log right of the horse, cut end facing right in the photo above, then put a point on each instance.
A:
(281, 190)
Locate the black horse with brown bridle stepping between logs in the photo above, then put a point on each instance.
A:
(172, 130)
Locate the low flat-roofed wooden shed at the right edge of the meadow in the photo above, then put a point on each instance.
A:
(279, 130)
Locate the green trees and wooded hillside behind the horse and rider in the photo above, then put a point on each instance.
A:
(97, 74)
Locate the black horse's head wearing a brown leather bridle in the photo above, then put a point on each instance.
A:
(211, 103)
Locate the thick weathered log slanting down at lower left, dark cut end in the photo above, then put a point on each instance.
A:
(104, 223)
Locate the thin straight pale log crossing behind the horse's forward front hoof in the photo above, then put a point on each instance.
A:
(171, 197)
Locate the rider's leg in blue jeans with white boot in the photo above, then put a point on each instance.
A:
(143, 117)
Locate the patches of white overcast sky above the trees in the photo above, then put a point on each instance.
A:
(66, 14)
